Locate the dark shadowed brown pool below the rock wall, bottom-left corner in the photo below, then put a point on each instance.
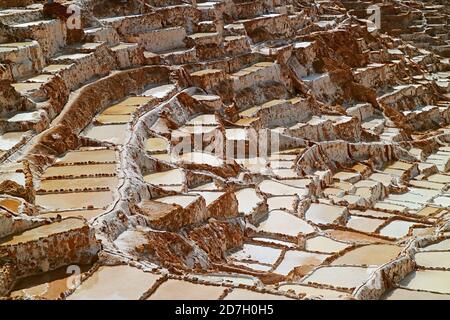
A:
(49, 285)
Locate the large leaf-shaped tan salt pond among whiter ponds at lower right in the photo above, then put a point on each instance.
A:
(370, 255)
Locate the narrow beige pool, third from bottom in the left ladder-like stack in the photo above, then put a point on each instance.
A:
(80, 170)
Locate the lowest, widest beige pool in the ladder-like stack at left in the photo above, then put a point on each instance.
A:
(75, 200)
